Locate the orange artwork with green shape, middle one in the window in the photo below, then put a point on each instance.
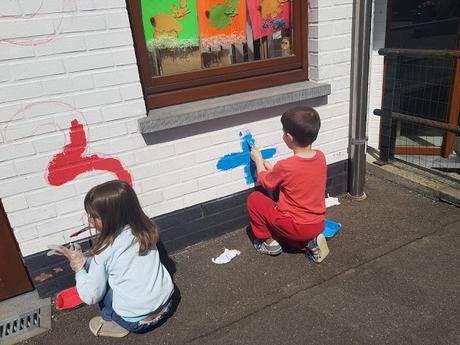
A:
(221, 22)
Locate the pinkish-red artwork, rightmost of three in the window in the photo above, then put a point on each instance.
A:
(268, 16)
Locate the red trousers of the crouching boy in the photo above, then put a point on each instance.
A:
(266, 221)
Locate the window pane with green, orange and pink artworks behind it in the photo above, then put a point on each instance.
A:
(189, 35)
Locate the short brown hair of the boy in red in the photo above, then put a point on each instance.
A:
(303, 123)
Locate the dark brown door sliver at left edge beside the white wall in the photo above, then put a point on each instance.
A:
(14, 279)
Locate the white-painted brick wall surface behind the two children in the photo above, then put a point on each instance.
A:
(78, 62)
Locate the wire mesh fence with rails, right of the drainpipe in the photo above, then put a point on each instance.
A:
(420, 109)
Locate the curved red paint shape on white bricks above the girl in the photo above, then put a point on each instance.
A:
(70, 163)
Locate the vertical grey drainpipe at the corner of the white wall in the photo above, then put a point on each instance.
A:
(361, 40)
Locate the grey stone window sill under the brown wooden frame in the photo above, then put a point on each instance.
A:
(209, 109)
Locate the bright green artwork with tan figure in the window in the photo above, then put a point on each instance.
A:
(170, 23)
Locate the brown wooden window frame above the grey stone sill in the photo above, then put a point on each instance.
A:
(181, 88)
